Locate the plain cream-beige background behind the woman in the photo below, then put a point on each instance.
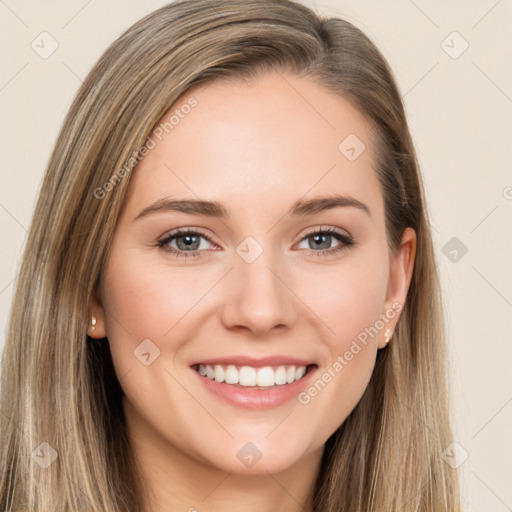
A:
(460, 112)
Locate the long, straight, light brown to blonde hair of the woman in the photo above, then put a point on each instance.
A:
(60, 388)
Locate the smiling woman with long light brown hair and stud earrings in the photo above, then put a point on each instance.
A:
(229, 296)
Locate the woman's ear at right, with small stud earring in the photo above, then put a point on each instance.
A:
(399, 280)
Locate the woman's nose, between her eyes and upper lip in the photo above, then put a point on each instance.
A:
(257, 297)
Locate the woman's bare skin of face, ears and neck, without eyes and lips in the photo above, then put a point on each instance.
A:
(256, 148)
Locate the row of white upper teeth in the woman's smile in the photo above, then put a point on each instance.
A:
(248, 376)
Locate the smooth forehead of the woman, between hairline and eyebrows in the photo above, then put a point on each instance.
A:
(268, 142)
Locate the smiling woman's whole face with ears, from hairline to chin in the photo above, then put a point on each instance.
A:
(270, 287)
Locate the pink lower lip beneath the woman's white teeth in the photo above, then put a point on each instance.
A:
(257, 399)
